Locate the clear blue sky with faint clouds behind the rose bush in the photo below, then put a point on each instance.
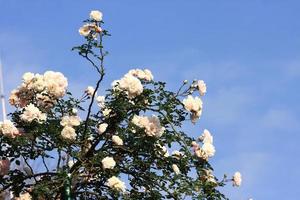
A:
(246, 51)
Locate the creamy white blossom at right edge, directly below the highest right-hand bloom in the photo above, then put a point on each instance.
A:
(194, 105)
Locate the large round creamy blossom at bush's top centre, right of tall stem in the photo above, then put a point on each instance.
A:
(131, 85)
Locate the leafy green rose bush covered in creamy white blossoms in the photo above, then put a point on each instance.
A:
(119, 150)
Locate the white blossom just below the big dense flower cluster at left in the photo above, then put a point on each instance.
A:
(31, 112)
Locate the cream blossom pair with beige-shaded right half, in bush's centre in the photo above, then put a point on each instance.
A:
(151, 124)
